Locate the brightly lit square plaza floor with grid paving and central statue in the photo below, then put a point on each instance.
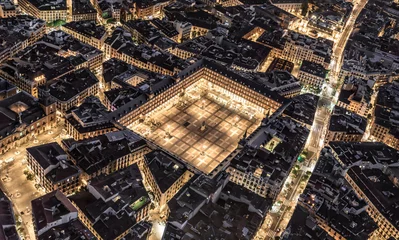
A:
(202, 133)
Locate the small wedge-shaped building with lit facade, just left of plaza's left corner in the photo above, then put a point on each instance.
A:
(88, 120)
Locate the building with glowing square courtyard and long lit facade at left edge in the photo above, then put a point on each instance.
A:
(22, 117)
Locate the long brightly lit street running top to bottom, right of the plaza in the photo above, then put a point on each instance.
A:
(315, 141)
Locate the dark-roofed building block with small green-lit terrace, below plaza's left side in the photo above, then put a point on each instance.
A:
(112, 204)
